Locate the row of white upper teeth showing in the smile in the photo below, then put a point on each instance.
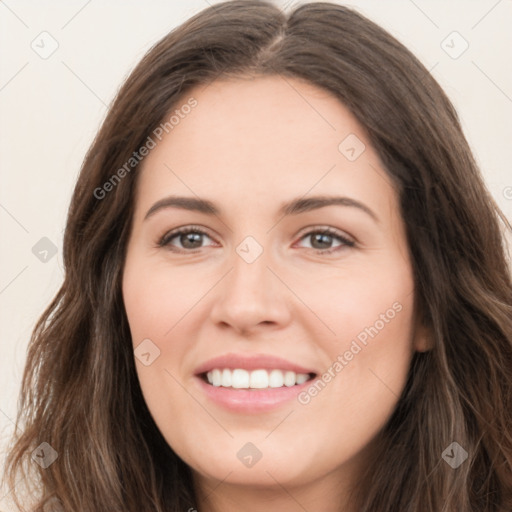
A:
(256, 379)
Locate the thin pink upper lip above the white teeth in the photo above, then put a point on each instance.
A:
(253, 362)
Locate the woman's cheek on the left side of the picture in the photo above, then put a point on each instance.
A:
(158, 304)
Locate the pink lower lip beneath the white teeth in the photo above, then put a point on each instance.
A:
(251, 400)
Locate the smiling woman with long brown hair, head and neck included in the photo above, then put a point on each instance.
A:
(285, 287)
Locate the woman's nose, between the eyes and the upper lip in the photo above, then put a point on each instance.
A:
(251, 297)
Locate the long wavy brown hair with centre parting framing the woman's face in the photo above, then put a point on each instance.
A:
(80, 391)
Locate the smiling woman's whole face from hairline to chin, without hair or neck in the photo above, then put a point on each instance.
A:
(284, 280)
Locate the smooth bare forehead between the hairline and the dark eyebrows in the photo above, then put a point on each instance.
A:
(265, 136)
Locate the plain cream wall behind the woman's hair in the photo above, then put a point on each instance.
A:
(50, 110)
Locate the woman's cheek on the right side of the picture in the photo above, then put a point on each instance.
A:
(370, 353)
